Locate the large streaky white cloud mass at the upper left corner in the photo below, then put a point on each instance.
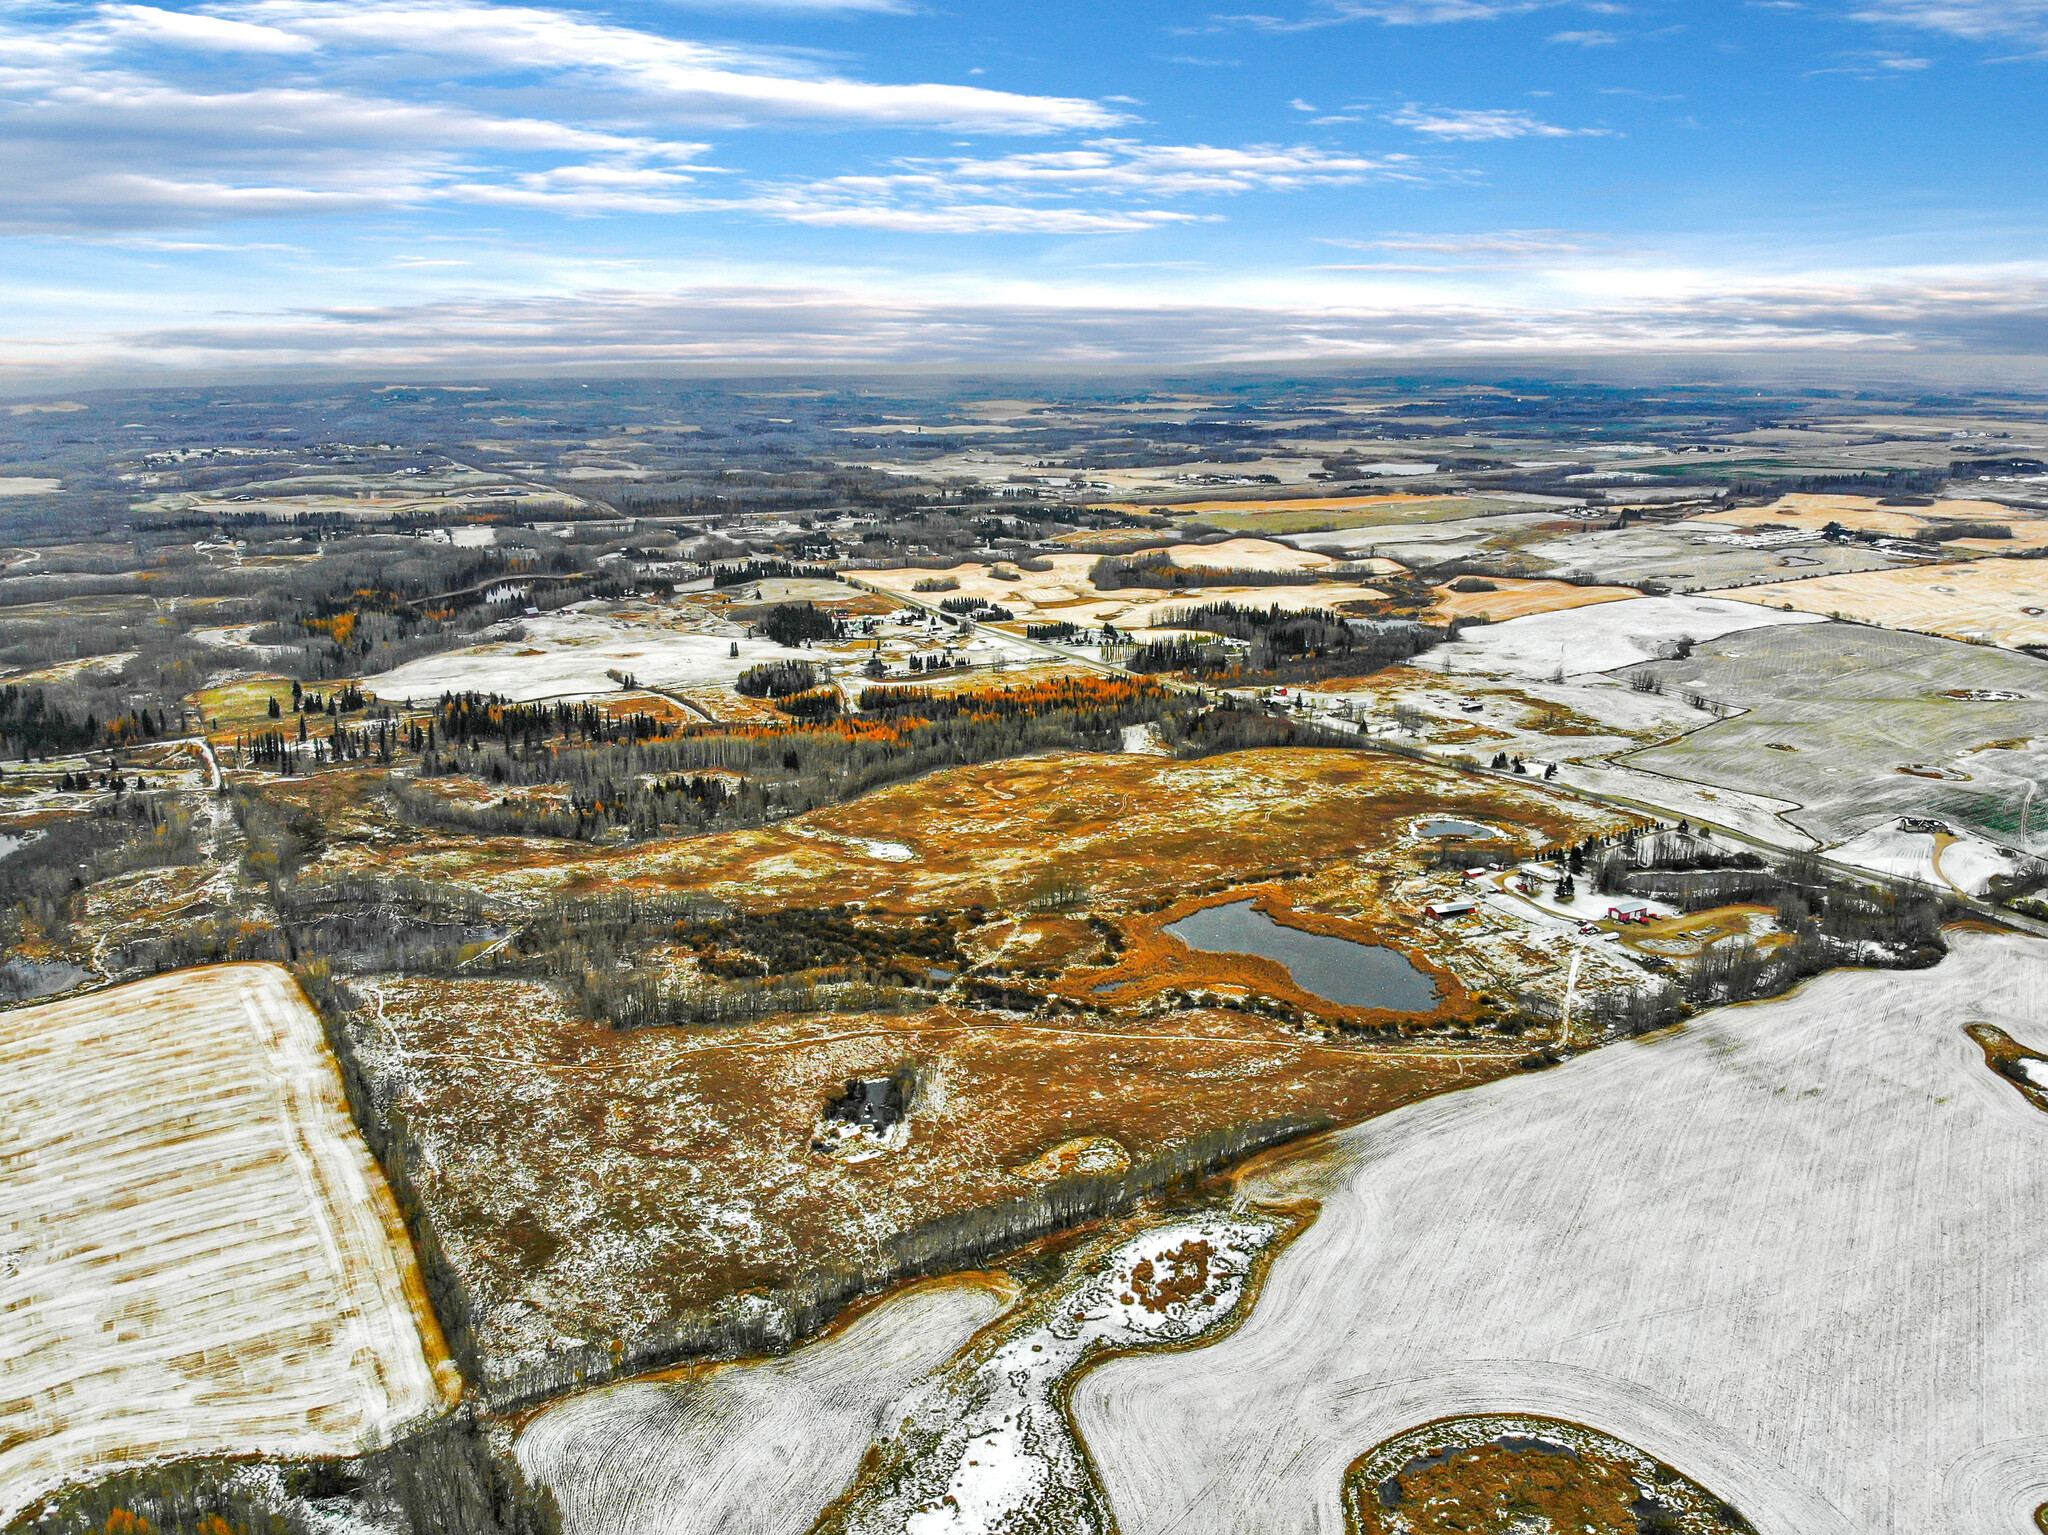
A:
(128, 118)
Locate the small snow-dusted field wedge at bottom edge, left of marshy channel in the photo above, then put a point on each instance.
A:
(759, 1446)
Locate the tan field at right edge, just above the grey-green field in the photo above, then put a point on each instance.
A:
(1986, 601)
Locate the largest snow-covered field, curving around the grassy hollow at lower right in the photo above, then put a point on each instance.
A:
(1789, 1252)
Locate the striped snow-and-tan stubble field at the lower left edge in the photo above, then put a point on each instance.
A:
(202, 1258)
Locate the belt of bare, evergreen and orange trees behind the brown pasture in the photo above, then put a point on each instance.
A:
(722, 777)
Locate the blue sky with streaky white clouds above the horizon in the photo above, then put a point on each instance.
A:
(462, 185)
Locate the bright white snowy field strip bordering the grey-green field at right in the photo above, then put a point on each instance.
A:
(1611, 635)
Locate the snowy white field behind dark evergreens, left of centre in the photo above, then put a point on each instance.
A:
(568, 654)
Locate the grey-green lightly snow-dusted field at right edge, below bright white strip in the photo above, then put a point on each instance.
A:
(1857, 728)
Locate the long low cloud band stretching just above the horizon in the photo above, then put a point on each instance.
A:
(1924, 314)
